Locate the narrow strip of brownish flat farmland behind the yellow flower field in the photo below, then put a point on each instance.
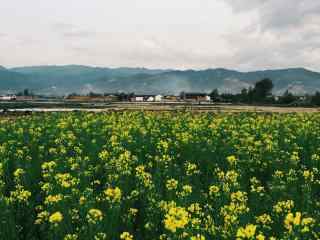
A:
(44, 106)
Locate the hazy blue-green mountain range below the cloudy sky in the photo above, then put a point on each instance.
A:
(62, 80)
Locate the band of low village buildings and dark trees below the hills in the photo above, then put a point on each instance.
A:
(260, 94)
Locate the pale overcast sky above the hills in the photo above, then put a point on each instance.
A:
(238, 34)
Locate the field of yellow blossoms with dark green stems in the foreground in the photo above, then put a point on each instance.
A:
(144, 175)
